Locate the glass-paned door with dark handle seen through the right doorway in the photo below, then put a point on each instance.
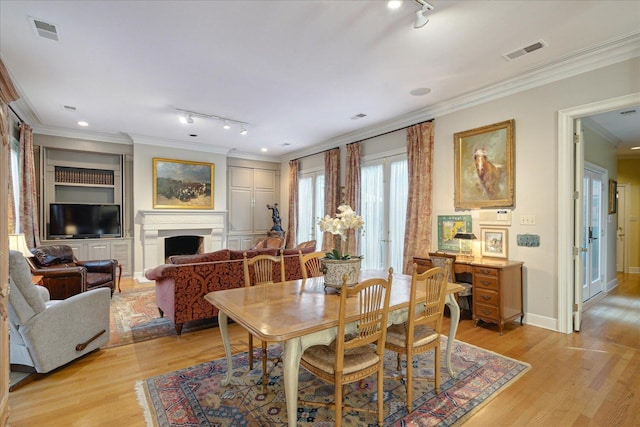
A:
(592, 232)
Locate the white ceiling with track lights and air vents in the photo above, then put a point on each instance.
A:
(298, 73)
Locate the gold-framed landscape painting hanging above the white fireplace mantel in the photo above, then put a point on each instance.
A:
(181, 184)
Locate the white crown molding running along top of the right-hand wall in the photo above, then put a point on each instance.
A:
(579, 62)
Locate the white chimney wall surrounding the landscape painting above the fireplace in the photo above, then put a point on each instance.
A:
(143, 185)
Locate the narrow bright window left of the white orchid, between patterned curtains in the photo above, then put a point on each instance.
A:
(310, 206)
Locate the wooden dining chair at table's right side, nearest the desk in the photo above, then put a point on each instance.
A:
(421, 332)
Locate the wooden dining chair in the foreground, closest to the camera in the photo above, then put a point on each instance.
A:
(352, 357)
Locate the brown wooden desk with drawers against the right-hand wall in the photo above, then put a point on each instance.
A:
(497, 288)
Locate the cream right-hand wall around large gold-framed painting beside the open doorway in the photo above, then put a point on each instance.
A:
(536, 169)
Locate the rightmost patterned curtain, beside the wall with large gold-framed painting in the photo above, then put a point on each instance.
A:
(419, 203)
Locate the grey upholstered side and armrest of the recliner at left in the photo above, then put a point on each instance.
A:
(52, 335)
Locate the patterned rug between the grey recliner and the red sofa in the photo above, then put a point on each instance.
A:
(135, 318)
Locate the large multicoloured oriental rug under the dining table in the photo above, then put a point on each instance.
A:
(195, 397)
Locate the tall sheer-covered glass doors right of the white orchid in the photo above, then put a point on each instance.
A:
(385, 183)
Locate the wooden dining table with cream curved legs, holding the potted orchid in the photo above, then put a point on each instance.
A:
(302, 313)
